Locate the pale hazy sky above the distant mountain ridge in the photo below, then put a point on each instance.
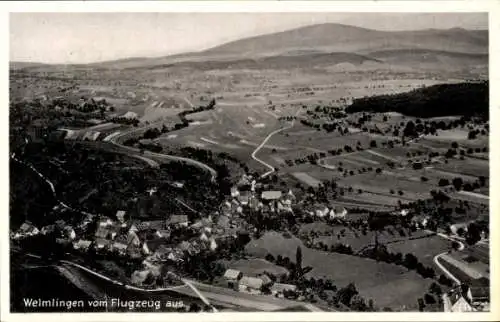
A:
(90, 37)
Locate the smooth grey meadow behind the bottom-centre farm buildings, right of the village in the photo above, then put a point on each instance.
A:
(389, 285)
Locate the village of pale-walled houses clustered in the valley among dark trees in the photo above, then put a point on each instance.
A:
(172, 241)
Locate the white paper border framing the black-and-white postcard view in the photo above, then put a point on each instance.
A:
(490, 6)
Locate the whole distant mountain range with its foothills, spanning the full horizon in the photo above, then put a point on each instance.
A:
(324, 45)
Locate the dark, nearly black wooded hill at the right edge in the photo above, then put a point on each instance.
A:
(468, 99)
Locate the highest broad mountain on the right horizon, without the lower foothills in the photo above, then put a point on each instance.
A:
(342, 38)
